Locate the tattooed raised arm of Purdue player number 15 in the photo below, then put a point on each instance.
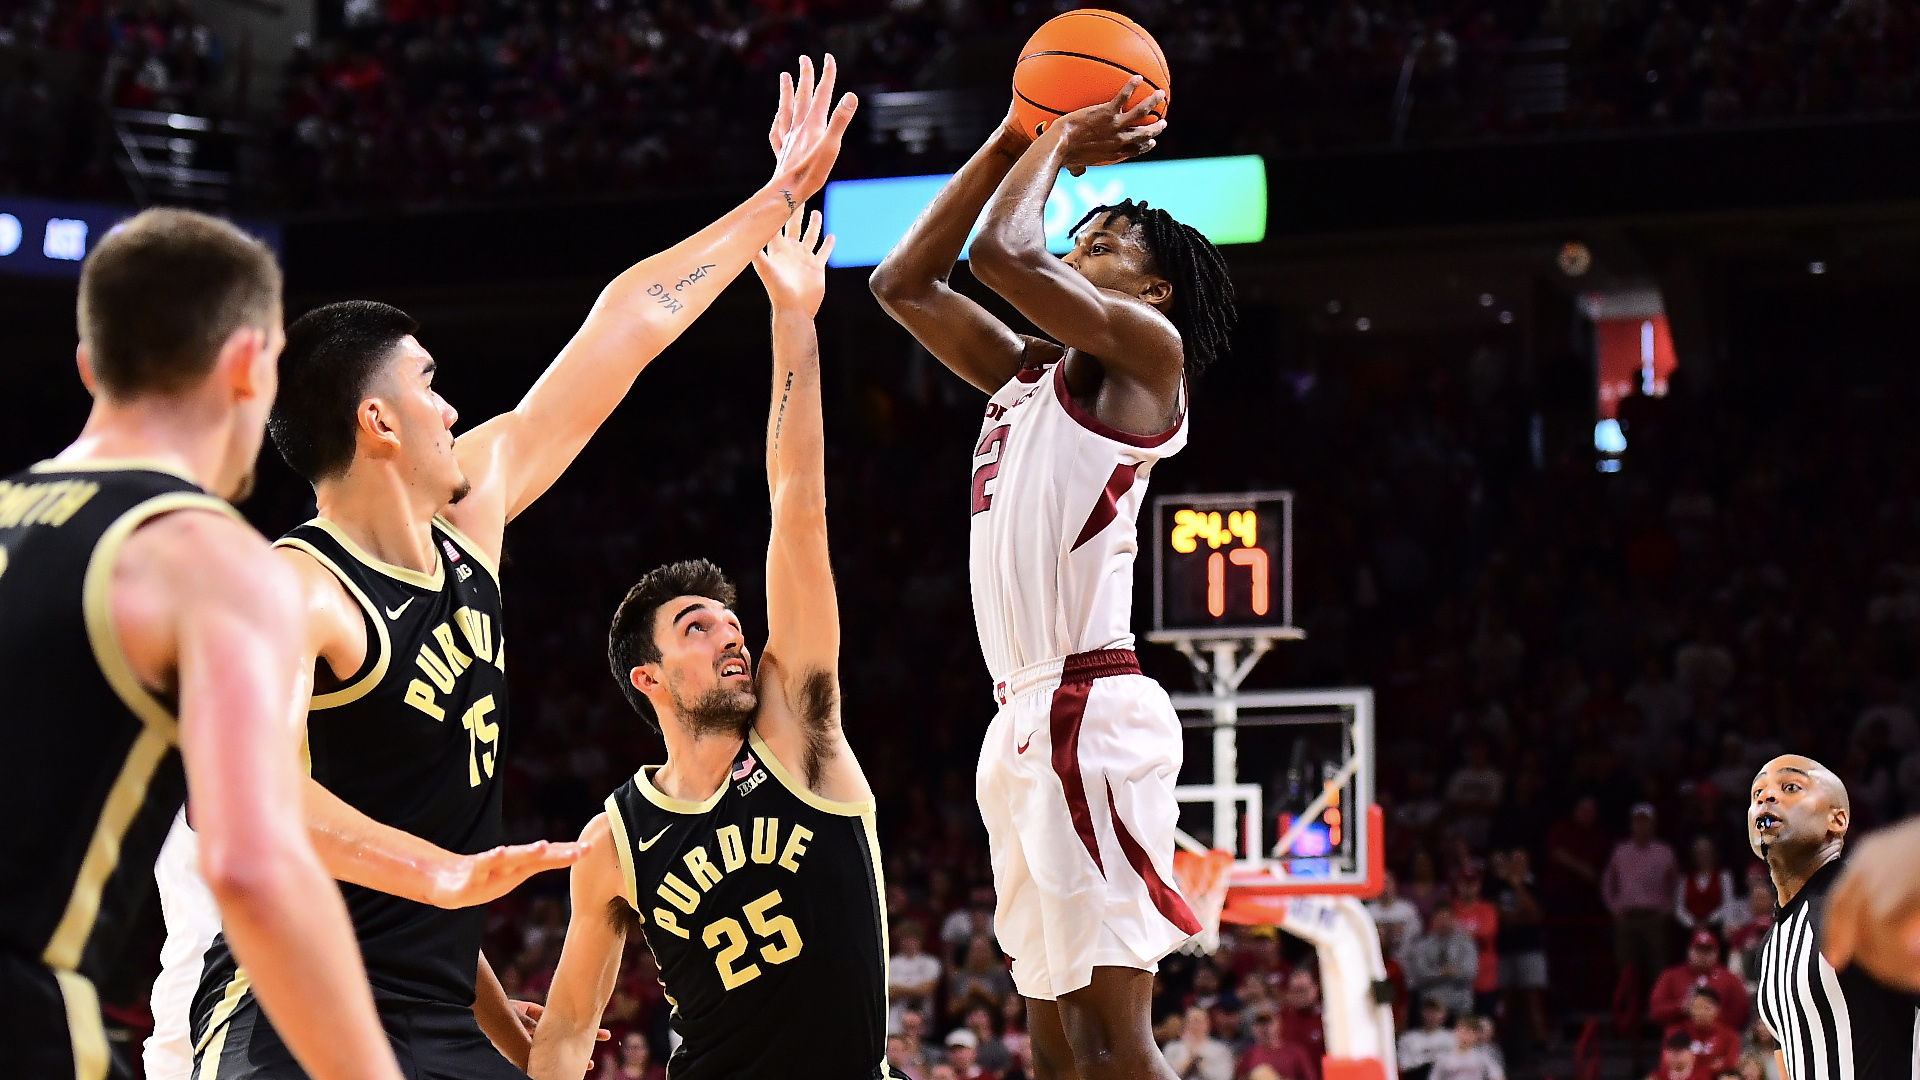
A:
(514, 458)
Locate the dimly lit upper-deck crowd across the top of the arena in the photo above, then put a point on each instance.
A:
(408, 103)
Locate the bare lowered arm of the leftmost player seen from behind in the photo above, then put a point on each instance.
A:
(243, 695)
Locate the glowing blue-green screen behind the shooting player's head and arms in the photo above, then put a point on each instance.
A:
(1226, 199)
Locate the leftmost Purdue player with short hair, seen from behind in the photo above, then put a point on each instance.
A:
(145, 622)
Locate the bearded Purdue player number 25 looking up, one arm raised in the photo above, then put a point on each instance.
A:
(750, 858)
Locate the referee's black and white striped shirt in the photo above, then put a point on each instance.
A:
(1831, 1025)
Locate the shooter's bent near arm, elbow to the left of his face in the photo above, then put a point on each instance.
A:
(1011, 253)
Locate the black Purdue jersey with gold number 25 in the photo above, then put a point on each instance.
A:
(763, 908)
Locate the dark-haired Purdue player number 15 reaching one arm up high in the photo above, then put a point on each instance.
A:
(404, 612)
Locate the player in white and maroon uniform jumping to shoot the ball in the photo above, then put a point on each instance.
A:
(1076, 773)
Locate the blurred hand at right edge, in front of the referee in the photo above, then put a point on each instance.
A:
(1873, 918)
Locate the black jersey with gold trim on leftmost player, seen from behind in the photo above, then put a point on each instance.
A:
(91, 775)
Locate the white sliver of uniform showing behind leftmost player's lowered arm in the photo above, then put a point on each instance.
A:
(193, 920)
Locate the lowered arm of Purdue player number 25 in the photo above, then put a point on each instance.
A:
(590, 962)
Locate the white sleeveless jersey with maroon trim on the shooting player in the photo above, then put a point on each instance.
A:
(1057, 495)
